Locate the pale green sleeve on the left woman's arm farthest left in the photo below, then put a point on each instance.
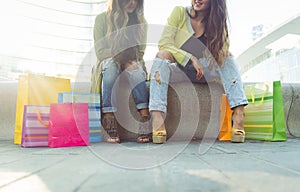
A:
(102, 48)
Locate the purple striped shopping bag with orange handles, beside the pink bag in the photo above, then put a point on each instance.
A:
(35, 126)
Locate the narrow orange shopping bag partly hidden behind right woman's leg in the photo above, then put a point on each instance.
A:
(225, 119)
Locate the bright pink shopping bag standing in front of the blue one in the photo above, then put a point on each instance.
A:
(68, 125)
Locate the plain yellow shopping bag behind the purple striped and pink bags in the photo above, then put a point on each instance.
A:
(37, 90)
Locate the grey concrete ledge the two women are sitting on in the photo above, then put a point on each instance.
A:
(182, 120)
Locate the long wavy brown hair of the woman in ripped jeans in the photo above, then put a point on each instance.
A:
(216, 30)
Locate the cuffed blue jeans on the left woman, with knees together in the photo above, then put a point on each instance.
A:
(137, 82)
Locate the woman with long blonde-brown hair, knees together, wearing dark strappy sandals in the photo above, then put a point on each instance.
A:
(119, 39)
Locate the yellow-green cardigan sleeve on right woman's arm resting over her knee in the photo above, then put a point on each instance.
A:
(174, 36)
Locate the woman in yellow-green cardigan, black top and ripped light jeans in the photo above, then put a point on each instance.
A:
(194, 46)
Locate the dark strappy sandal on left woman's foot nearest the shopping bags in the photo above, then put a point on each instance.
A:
(110, 126)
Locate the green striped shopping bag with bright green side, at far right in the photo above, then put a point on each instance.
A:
(264, 115)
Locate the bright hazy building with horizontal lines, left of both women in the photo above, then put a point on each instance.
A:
(50, 37)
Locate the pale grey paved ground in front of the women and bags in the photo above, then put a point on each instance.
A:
(176, 166)
